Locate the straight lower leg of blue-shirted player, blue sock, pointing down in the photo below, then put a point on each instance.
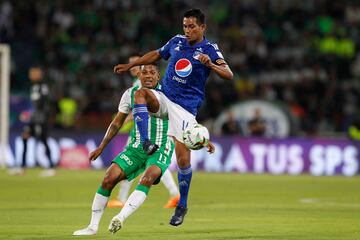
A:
(184, 179)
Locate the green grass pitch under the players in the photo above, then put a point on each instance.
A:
(221, 206)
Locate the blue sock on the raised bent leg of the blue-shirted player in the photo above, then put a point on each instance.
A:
(141, 117)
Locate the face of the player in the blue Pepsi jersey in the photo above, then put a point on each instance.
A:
(193, 31)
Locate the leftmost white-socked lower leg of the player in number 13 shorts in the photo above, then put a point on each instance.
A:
(113, 175)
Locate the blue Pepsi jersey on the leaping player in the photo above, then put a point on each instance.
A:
(185, 77)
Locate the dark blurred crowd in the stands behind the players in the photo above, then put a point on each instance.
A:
(301, 53)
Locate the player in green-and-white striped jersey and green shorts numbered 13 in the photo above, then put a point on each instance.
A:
(133, 160)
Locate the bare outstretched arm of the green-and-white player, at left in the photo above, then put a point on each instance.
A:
(112, 130)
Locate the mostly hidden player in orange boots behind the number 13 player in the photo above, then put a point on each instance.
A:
(125, 185)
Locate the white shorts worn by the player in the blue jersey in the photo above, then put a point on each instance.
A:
(179, 118)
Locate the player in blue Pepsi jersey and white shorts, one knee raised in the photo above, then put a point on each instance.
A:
(191, 59)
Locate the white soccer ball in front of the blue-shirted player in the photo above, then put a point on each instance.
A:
(196, 137)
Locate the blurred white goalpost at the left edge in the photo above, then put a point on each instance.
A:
(4, 101)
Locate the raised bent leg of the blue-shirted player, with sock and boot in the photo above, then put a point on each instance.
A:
(145, 100)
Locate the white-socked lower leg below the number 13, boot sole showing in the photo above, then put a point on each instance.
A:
(136, 199)
